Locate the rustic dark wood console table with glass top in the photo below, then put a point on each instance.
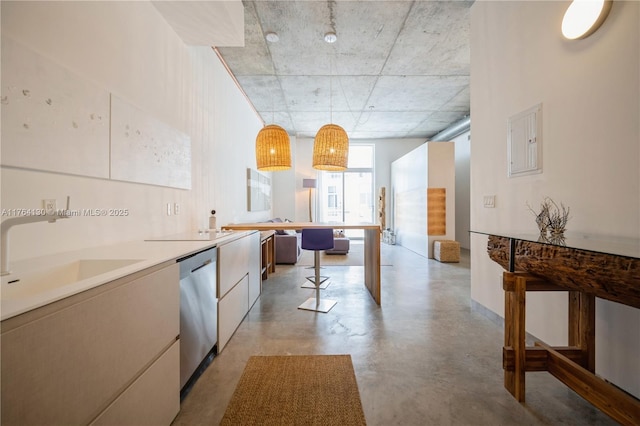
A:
(587, 268)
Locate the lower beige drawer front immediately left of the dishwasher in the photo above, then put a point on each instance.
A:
(153, 399)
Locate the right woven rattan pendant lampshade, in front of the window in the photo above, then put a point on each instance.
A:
(331, 148)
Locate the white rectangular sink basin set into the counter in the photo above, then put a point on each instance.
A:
(18, 285)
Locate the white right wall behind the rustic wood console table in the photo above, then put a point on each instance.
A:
(589, 90)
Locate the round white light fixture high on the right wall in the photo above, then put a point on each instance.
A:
(584, 17)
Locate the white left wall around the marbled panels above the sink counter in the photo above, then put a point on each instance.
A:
(128, 49)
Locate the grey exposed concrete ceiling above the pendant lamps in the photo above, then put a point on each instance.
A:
(399, 69)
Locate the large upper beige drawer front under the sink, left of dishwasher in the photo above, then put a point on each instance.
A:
(65, 368)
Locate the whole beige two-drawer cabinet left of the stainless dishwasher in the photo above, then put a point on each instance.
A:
(107, 354)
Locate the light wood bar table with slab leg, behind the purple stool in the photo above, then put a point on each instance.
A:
(371, 245)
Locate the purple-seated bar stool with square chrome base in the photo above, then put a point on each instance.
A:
(317, 239)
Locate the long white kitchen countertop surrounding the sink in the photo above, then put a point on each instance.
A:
(144, 254)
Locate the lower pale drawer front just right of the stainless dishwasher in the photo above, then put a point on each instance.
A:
(231, 310)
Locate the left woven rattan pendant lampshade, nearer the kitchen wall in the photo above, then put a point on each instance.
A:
(273, 149)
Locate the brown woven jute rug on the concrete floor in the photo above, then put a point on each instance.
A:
(296, 390)
